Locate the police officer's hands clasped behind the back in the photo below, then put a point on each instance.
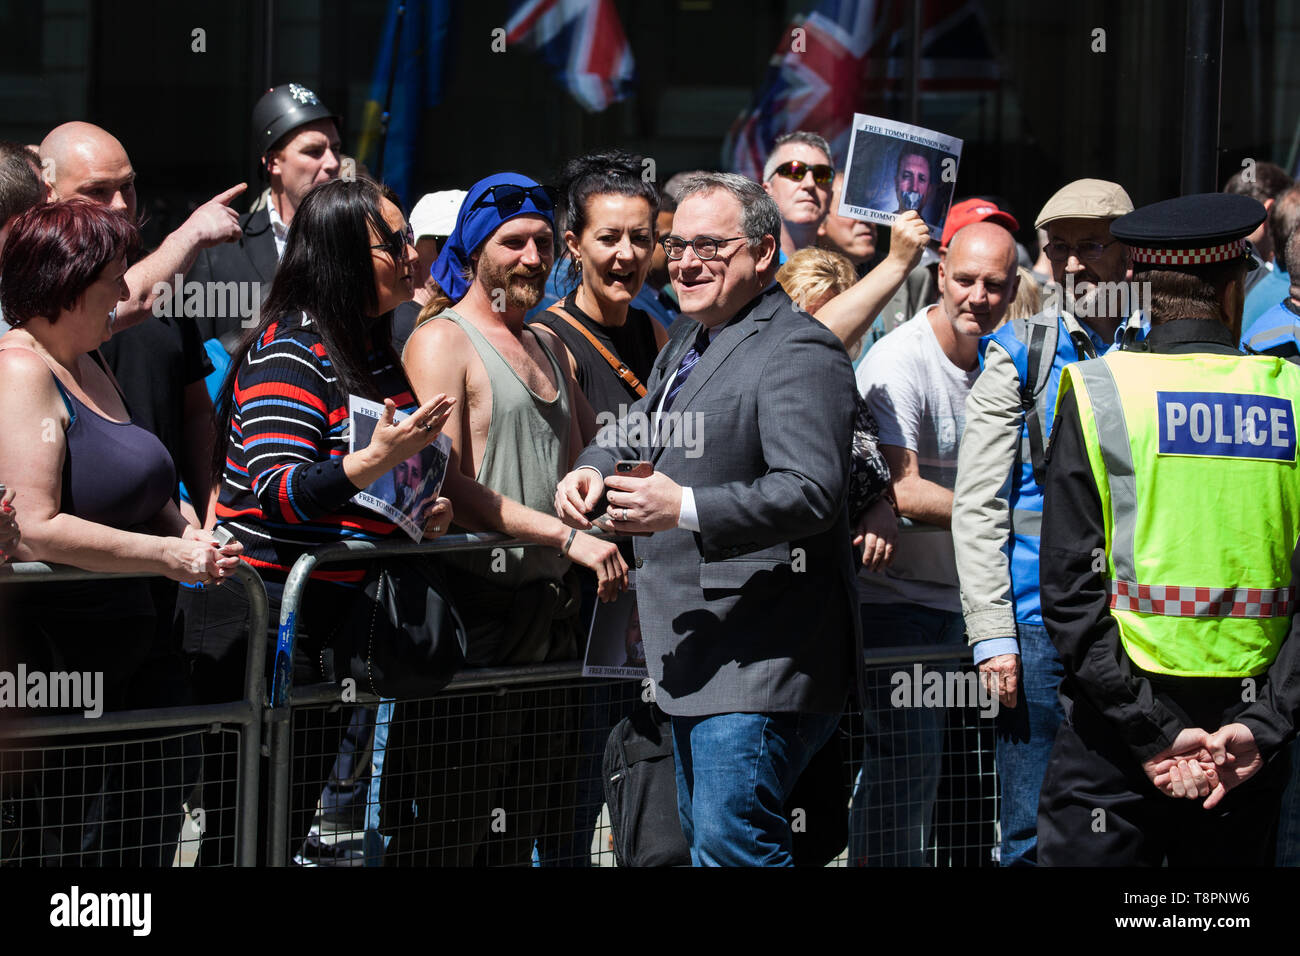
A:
(1206, 765)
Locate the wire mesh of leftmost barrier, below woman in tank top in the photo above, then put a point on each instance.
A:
(110, 801)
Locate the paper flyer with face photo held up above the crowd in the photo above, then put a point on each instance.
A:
(895, 167)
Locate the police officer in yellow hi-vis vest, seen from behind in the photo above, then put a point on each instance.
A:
(1169, 537)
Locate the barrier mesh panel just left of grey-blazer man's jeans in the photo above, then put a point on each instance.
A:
(482, 778)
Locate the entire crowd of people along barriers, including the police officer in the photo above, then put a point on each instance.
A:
(898, 448)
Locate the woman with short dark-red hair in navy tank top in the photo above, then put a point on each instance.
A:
(96, 492)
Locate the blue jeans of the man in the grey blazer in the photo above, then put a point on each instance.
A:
(735, 773)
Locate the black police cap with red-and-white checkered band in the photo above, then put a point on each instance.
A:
(1190, 231)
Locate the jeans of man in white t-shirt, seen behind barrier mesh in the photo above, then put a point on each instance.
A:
(891, 816)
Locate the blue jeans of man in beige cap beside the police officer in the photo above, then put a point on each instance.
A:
(1025, 738)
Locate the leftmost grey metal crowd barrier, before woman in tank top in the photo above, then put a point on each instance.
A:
(246, 715)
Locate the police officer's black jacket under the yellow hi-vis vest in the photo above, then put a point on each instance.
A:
(1149, 710)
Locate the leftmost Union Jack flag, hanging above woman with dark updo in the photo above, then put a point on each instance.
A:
(584, 41)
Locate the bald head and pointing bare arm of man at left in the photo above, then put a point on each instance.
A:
(83, 161)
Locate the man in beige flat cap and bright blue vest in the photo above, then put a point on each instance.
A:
(998, 503)
